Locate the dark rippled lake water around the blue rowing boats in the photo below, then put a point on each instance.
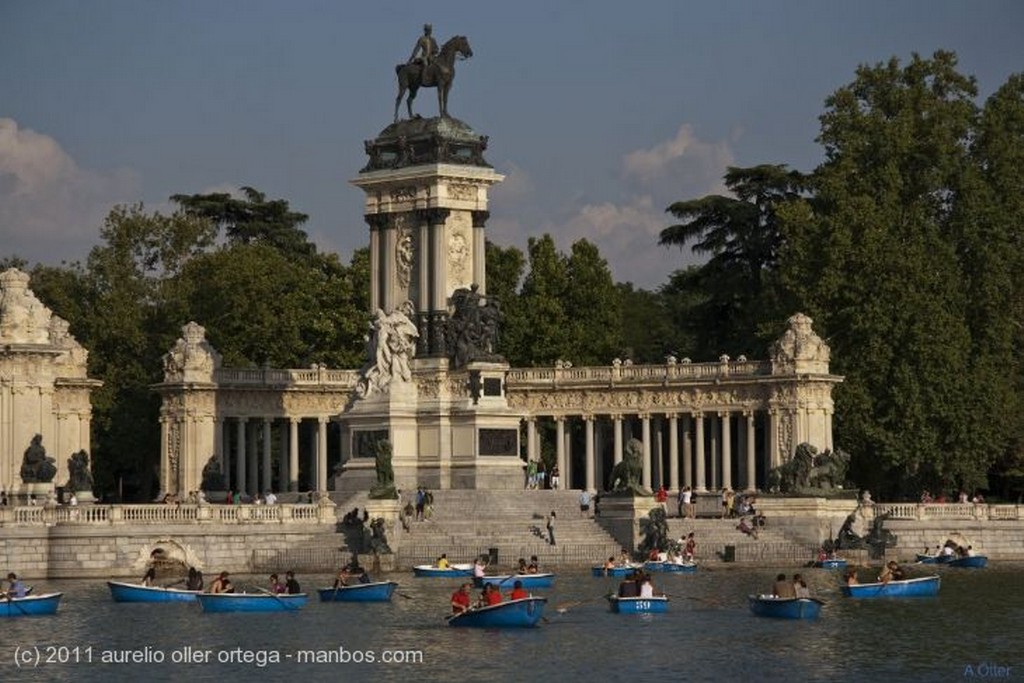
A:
(971, 631)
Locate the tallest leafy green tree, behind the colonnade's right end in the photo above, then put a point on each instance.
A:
(893, 277)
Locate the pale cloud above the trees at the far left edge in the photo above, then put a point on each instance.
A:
(52, 209)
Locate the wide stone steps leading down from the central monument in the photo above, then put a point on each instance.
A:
(502, 525)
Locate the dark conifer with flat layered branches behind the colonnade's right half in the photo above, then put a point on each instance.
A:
(734, 297)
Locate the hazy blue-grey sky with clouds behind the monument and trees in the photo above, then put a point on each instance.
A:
(601, 114)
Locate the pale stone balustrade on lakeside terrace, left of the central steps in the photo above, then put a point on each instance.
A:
(103, 516)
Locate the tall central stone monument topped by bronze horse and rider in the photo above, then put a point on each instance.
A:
(433, 387)
